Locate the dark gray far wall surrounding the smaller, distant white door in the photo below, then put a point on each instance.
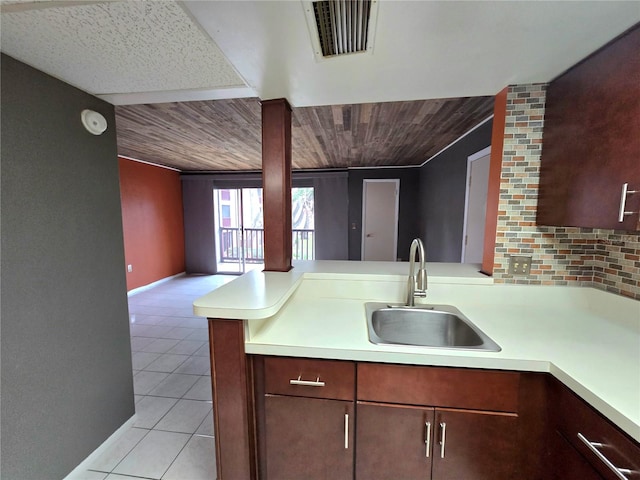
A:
(409, 208)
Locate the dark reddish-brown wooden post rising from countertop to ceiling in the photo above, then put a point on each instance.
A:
(276, 184)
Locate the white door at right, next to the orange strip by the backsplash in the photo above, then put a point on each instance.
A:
(475, 206)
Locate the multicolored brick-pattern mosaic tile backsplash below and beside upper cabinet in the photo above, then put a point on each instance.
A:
(605, 259)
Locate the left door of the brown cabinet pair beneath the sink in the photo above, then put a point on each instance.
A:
(393, 442)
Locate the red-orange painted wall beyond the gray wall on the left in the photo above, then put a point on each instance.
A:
(152, 221)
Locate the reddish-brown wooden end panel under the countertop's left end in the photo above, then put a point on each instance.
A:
(233, 411)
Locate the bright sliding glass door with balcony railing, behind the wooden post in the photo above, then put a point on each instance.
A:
(240, 227)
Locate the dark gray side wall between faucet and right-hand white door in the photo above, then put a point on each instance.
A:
(442, 193)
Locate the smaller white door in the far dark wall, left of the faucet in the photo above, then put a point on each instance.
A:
(380, 219)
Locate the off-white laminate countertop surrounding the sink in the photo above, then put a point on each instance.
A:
(588, 339)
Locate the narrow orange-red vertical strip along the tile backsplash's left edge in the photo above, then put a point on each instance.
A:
(495, 169)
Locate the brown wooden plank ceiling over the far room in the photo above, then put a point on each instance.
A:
(225, 135)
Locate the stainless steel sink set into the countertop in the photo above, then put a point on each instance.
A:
(435, 326)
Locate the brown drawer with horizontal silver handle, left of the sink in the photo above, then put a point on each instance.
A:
(303, 377)
